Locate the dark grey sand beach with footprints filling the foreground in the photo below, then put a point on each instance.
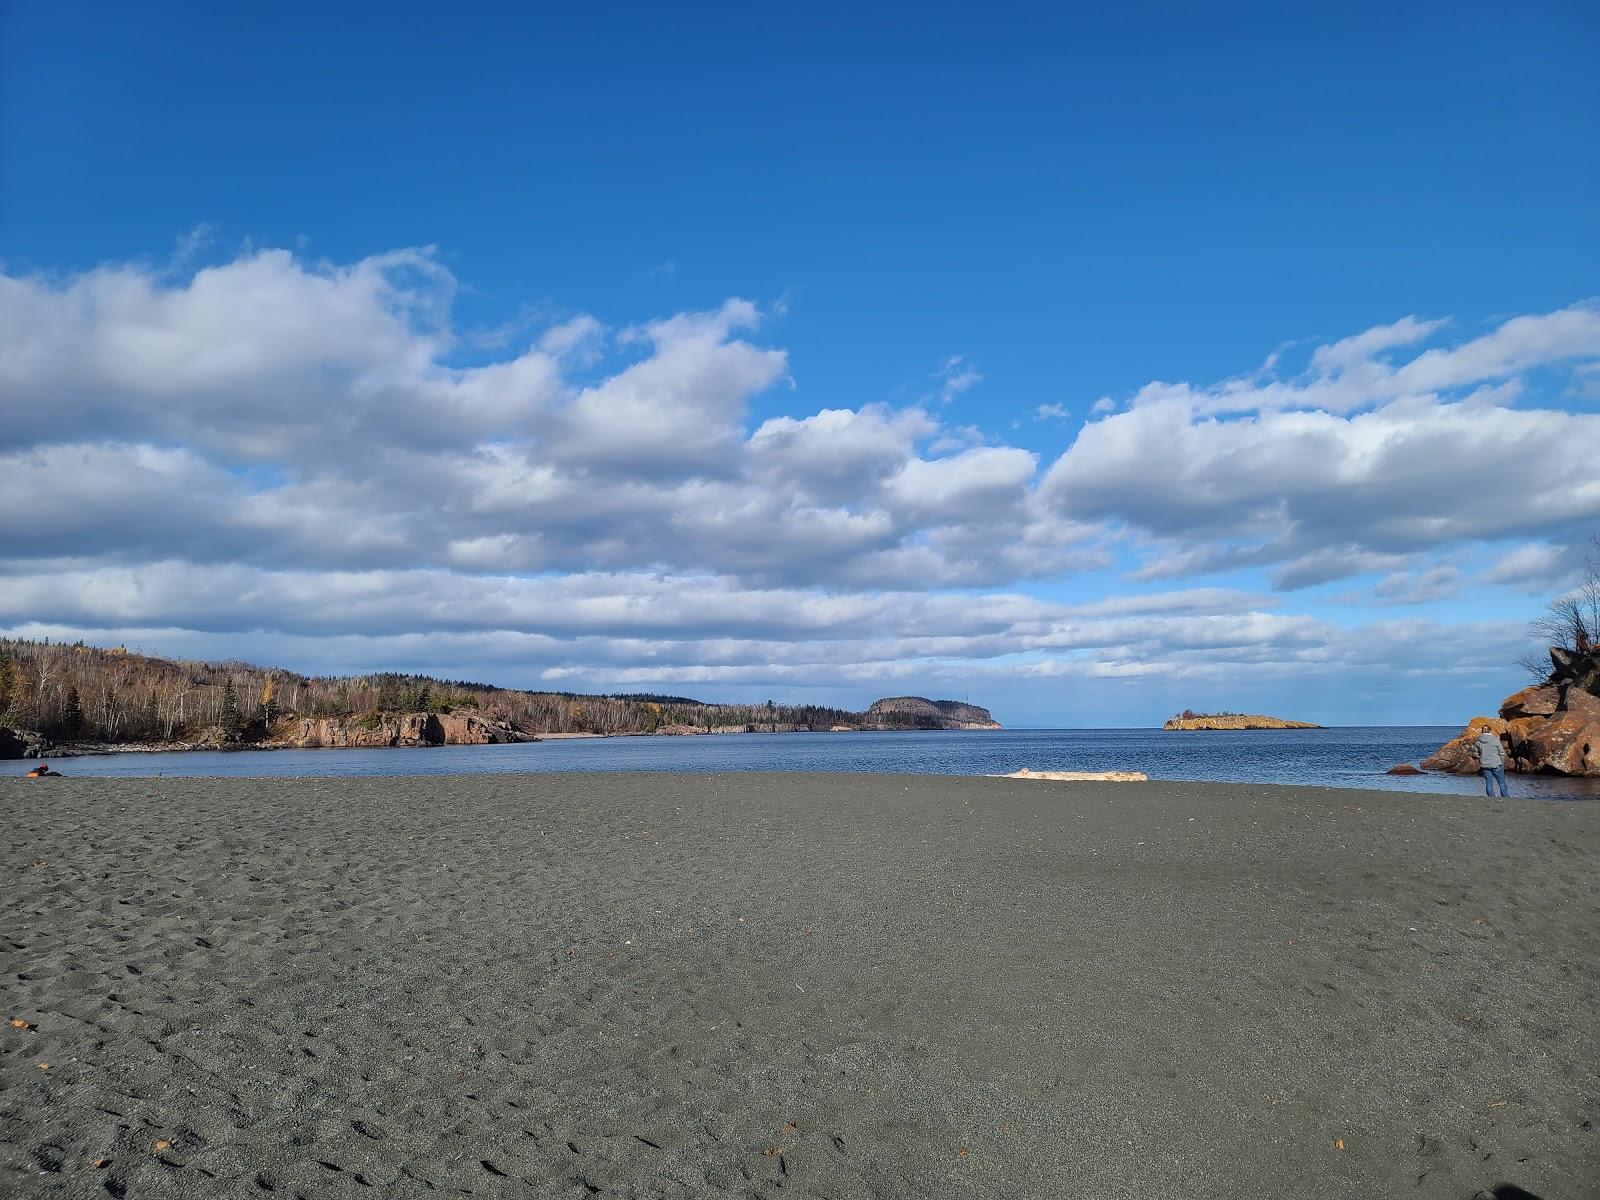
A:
(794, 985)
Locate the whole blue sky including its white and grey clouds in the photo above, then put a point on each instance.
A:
(404, 278)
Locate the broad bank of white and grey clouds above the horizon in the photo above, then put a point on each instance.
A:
(308, 463)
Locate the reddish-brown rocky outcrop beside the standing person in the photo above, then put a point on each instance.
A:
(1550, 729)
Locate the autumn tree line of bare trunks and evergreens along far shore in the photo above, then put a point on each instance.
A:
(73, 692)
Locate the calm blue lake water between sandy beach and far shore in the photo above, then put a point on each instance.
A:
(1343, 758)
